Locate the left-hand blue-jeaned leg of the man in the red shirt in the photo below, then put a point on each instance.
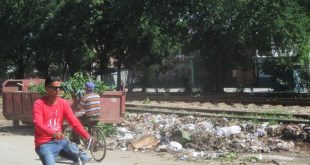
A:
(48, 152)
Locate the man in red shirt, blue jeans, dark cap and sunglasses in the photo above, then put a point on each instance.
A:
(49, 114)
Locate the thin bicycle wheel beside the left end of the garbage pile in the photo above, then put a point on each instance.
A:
(98, 148)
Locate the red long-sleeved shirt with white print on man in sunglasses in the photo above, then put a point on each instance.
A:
(48, 119)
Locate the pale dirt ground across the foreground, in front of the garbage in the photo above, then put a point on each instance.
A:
(17, 146)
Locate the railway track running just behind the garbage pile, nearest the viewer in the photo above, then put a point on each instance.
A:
(220, 113)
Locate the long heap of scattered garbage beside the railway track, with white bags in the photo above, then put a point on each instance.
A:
(190, 137)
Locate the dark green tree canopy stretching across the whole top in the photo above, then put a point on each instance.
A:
(58, 37)
